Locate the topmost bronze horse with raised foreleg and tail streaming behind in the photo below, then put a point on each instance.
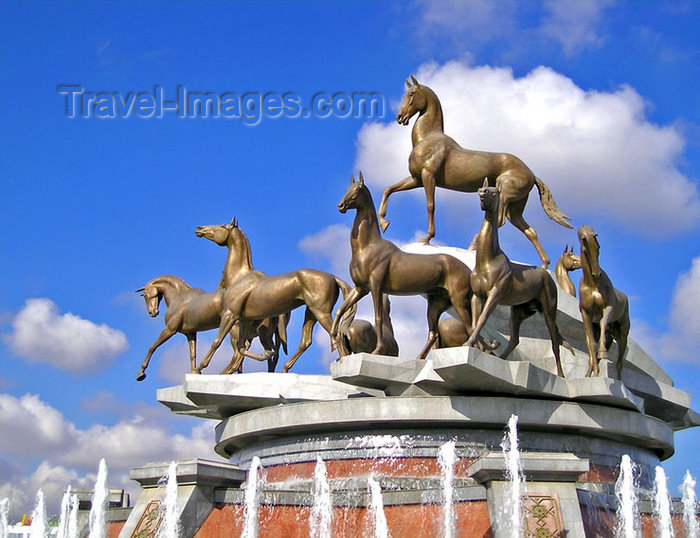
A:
(438, 161)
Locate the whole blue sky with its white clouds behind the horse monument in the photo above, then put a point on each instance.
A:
(599, 98)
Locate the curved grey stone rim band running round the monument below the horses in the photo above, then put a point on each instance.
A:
(441, 412)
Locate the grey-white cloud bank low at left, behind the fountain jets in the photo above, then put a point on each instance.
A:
(32, 429)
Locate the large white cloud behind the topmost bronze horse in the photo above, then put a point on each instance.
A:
(595, 150)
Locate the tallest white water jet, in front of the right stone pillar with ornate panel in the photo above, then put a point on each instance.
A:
(512, 519)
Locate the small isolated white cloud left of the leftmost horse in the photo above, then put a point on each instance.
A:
(42, 334)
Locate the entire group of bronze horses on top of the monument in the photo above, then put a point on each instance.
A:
(248, 304)
